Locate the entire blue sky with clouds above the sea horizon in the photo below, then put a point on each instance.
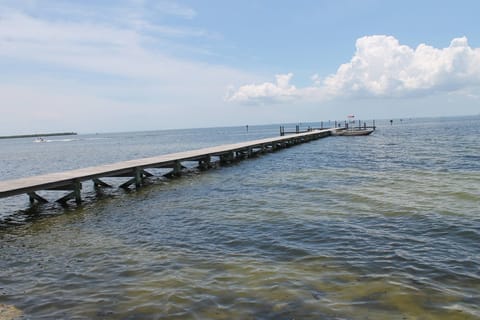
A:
(132, 65)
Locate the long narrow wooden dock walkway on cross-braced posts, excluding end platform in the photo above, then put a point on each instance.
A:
(136, 170)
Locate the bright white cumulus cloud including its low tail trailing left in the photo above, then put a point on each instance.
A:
(382, 67)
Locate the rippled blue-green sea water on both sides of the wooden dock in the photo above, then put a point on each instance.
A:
(379, 227)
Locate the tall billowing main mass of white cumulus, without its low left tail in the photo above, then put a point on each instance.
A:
(383, 67)
